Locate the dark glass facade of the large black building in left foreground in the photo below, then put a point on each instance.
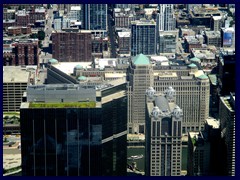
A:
(75, 141)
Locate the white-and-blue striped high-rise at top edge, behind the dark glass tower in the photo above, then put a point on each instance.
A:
(166, 19)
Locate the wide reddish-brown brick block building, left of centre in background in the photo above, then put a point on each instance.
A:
(72, 46)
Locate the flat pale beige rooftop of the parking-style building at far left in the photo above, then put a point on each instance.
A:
(15, 74)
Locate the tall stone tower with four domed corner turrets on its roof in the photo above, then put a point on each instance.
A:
(163, 134)
